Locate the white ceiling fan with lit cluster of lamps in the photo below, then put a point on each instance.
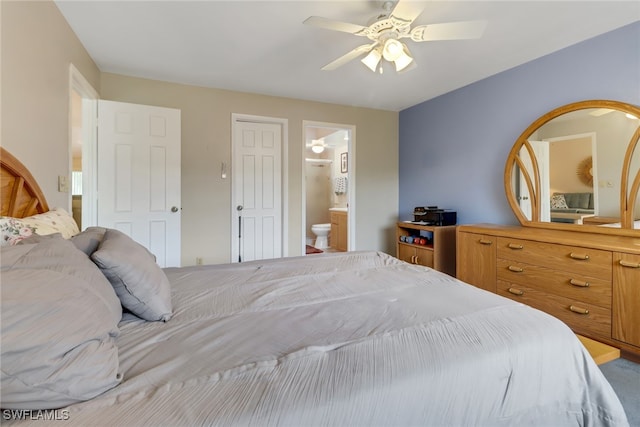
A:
(389, 28)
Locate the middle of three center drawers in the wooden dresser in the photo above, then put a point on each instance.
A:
(570, 285)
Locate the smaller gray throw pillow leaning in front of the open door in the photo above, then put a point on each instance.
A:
(139, 282)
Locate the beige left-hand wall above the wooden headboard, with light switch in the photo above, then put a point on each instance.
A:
(37, 48)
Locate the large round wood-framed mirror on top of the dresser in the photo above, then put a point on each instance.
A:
(578, 167)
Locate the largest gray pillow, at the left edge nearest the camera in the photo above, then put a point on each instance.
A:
(59, 321)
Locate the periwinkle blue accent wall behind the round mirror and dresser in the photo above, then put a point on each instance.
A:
(453, 148)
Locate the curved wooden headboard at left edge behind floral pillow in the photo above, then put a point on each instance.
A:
(21, 194)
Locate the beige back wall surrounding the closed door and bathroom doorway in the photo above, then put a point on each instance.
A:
(206, 143)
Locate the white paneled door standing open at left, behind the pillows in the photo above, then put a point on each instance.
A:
(139, 175)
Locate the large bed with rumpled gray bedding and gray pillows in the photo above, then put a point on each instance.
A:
(357, 338)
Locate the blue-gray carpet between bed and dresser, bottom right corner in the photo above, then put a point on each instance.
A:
(624, 377)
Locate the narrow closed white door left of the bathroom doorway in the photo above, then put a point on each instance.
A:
(257, 191)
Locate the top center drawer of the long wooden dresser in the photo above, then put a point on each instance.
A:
(588, 262)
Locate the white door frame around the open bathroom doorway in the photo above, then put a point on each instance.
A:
(351, 180)
